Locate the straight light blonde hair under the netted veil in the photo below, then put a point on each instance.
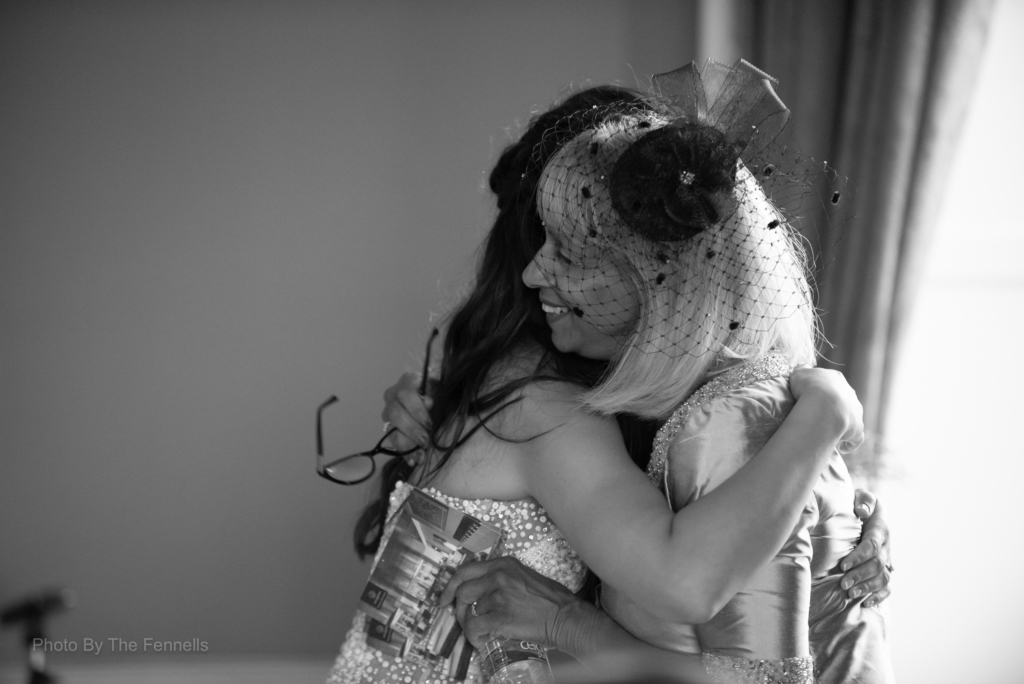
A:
(736, 291)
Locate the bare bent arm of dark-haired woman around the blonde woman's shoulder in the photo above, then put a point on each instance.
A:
(682, 567)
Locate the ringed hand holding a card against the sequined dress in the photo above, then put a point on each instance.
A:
(504, 598)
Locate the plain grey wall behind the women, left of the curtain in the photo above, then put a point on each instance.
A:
(212, 217)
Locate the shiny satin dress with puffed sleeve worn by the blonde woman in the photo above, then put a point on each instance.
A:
(794, 624)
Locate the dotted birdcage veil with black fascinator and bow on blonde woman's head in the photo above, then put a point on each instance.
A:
(675, 226)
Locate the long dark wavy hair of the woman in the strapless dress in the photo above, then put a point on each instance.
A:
(501, 316)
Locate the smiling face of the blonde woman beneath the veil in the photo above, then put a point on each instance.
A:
(590, 304)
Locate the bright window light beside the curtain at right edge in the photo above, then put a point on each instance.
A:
(956, 422)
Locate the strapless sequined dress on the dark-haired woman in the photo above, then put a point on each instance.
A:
(530, 537)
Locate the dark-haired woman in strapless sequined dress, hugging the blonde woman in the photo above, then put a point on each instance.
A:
(540, 459)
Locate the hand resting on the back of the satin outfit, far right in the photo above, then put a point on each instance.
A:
(869, 568)
